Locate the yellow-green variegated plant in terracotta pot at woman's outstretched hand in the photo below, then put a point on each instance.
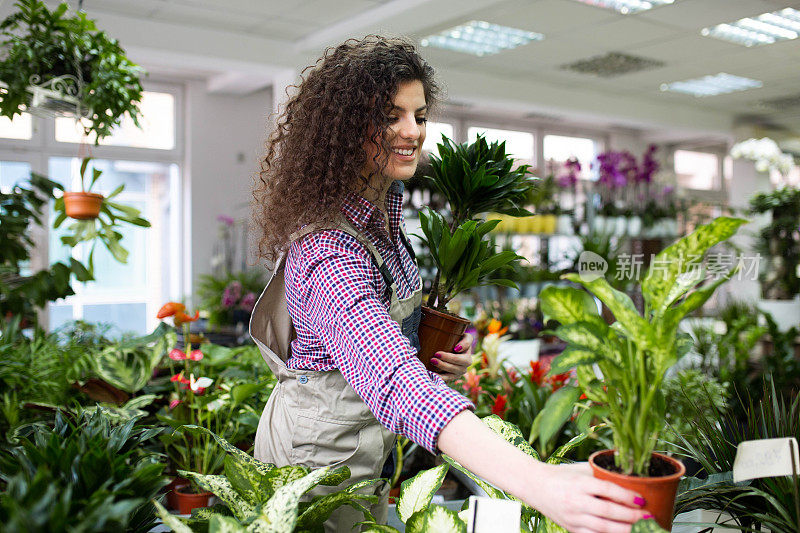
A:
(633, 355)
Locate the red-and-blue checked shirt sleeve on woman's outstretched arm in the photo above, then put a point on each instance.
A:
(369, 348)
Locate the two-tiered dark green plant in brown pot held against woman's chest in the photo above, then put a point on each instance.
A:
(474, 178)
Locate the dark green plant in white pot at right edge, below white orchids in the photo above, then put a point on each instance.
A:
(779, 248)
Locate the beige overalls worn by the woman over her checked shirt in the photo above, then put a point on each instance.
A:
(316, 419)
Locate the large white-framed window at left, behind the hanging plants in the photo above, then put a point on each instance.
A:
(148, 162)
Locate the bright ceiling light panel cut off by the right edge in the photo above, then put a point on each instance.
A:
(766, 28)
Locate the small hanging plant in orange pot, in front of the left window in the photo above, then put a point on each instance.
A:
(102, 225)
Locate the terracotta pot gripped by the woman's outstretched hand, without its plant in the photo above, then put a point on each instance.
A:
(658, 492)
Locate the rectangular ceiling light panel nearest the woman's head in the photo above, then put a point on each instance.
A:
(481, 38)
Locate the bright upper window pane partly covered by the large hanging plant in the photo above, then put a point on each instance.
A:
(157, 126)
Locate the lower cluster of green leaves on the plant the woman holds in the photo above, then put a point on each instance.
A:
(463, 256)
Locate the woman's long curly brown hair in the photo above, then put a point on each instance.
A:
(316, 154)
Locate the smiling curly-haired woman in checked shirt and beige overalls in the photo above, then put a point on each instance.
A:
(329, 207)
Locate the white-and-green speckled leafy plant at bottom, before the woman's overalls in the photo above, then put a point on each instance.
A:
(260, 497)
